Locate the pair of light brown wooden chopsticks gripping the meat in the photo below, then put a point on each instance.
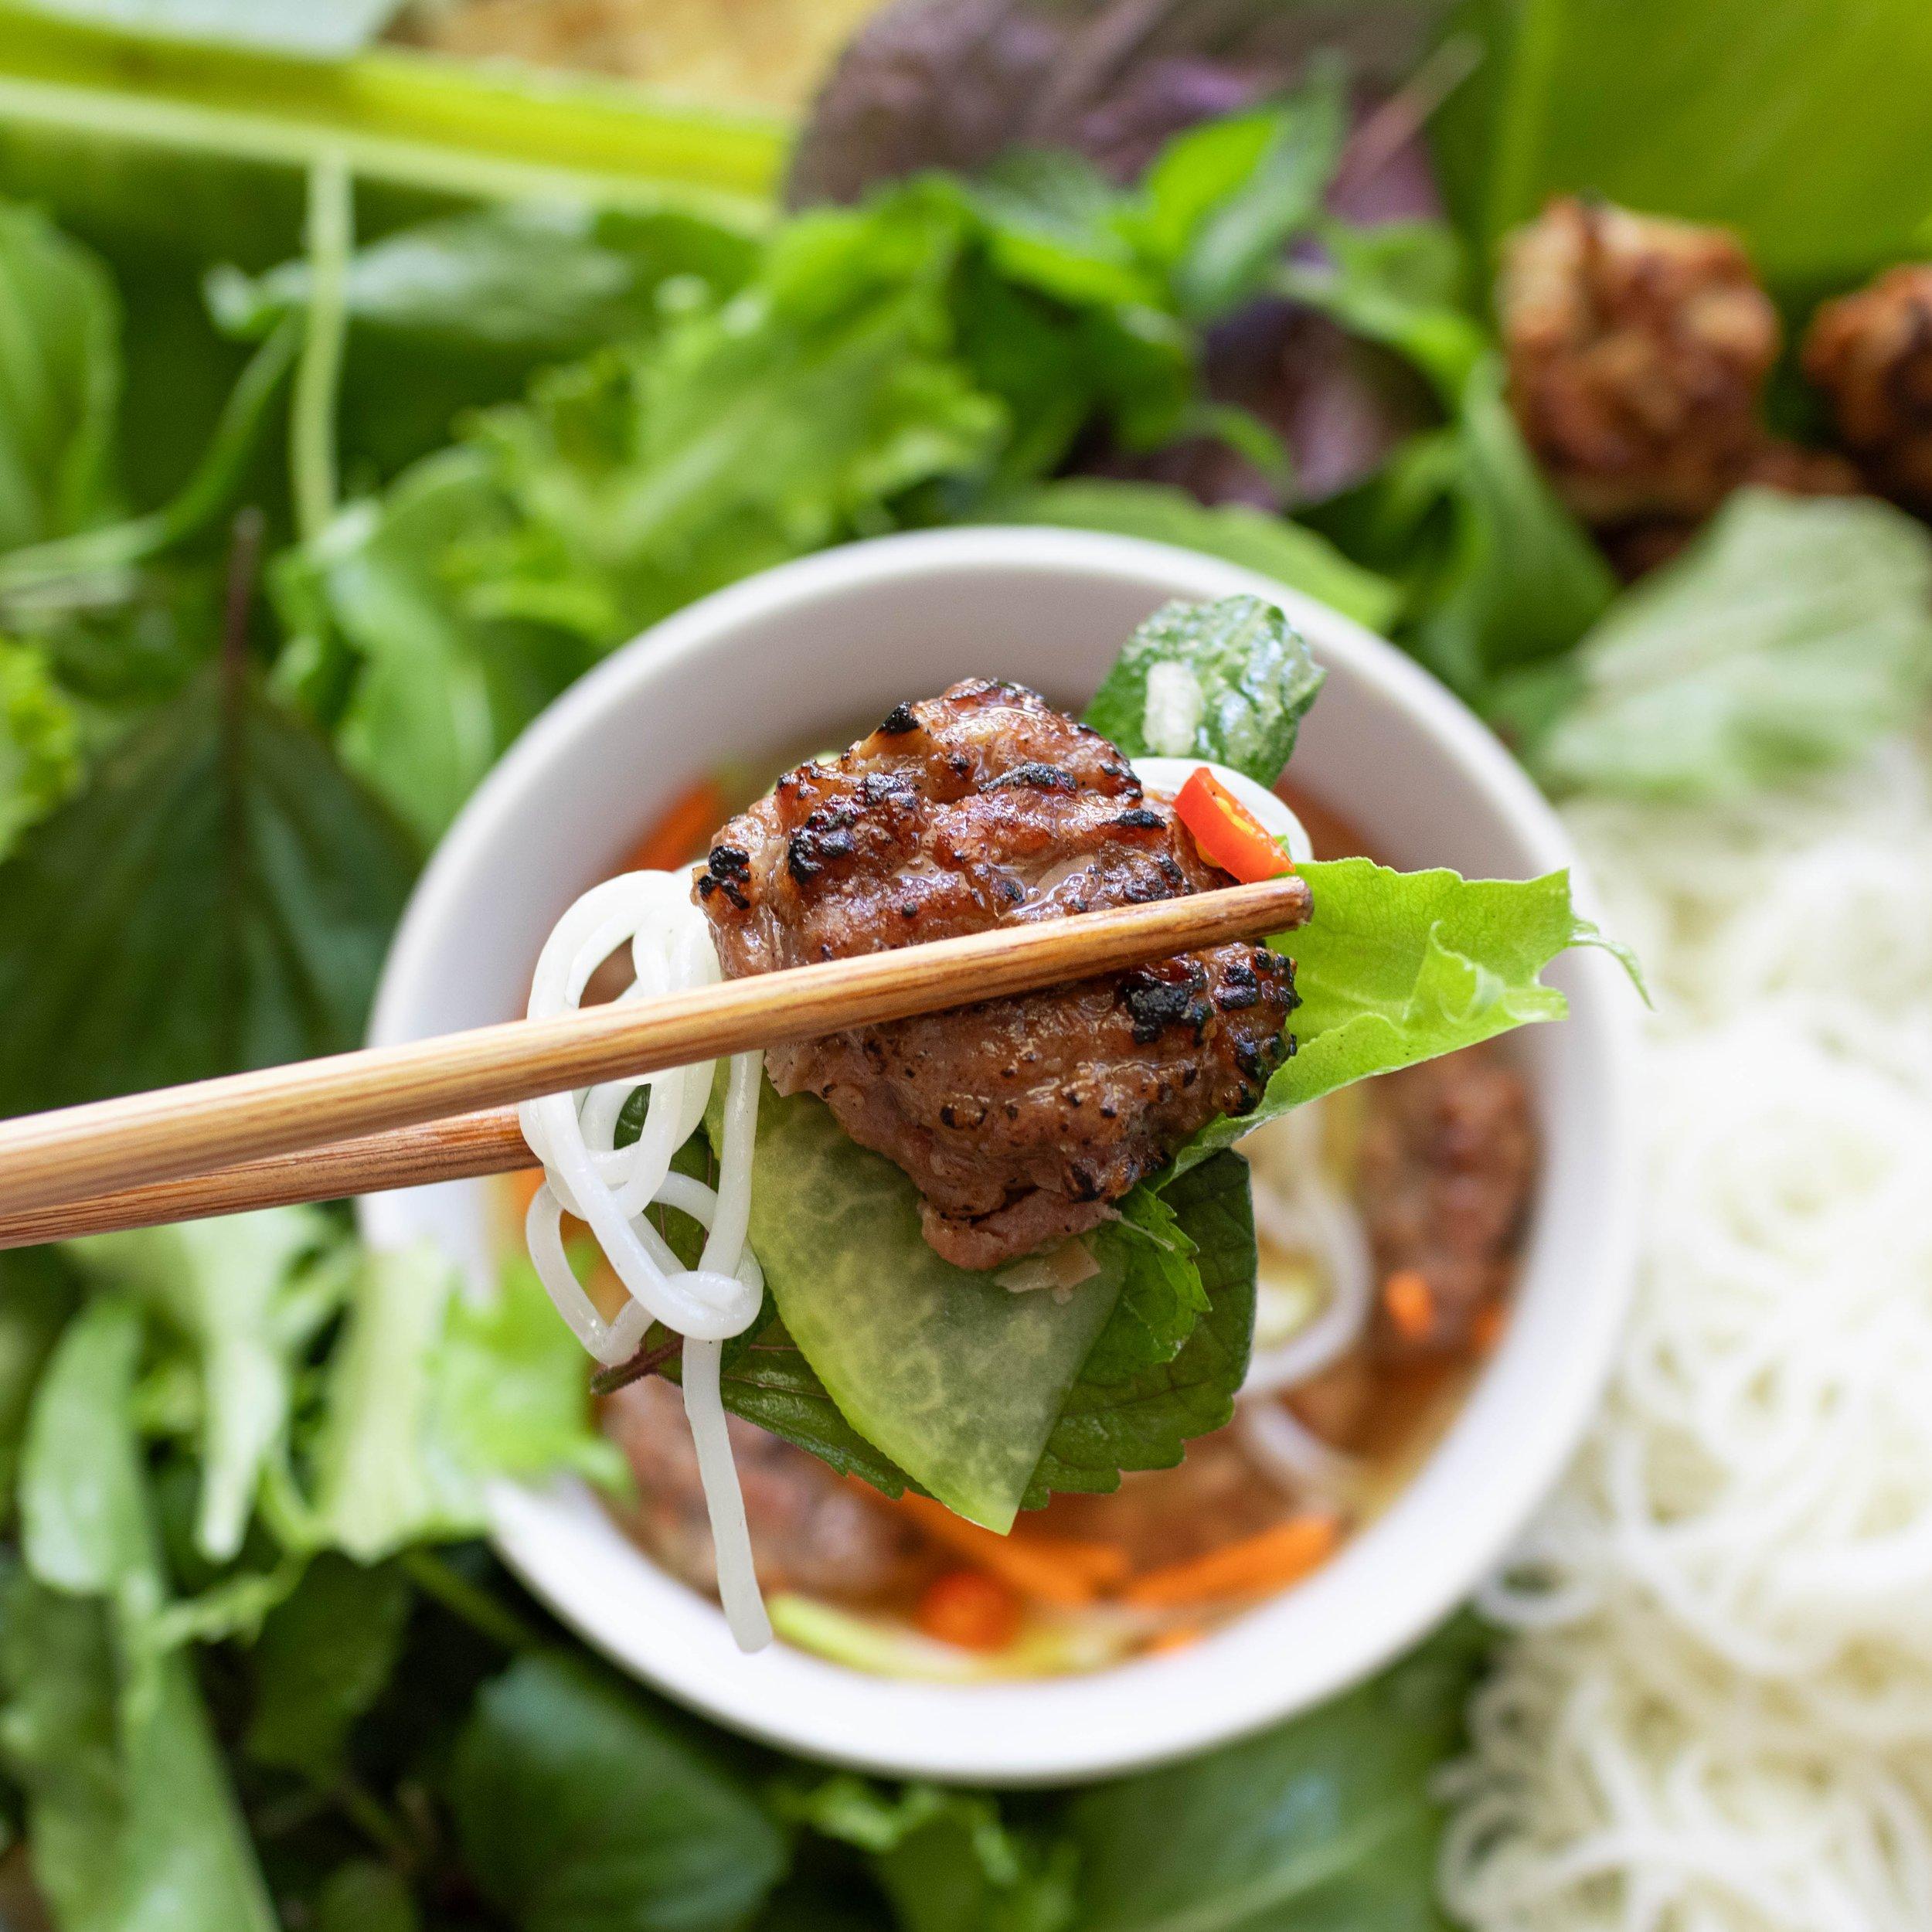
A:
(443, 1110)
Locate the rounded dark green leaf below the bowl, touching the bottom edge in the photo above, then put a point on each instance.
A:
(581, 1809)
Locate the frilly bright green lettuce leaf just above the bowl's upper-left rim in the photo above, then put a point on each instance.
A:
(749, 434)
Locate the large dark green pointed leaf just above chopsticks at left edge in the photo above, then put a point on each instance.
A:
(221, 897)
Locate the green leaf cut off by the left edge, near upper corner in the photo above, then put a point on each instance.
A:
(59, 382)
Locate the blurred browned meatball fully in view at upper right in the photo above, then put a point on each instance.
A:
(1637, 358)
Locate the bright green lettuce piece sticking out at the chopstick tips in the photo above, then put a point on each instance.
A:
(1400, 967)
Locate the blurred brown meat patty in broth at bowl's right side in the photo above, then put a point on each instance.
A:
(1448, 1162)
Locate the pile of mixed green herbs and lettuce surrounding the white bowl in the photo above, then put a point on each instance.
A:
(297, 538)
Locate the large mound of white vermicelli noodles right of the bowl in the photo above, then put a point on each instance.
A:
(1717, 1709)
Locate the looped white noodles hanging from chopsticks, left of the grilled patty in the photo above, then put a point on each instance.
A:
(611, 1189)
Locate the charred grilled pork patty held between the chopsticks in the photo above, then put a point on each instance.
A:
(1021, 1120)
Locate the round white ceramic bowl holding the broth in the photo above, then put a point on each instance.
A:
(839, 639)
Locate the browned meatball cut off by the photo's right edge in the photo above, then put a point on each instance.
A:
(1873, 356)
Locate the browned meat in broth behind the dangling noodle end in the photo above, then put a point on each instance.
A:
(810, 1529)
